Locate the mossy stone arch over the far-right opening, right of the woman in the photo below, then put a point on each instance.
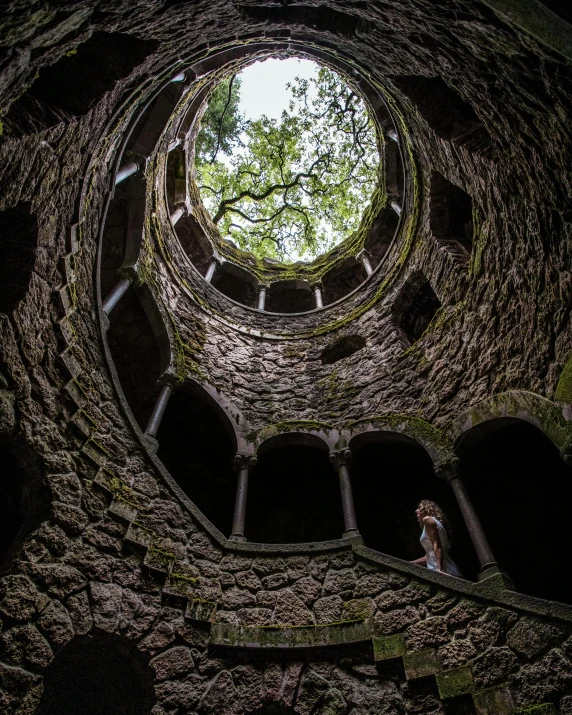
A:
(522, 405)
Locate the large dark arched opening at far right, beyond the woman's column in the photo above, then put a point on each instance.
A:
(521, 490)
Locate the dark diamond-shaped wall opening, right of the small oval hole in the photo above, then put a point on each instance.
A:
(414, 307)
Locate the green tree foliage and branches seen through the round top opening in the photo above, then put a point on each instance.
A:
(292, 188)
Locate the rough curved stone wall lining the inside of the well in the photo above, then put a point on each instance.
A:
(107, 541)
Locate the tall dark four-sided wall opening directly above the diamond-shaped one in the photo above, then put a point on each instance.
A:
(451, 215)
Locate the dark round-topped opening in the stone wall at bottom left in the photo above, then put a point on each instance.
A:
(97, 675)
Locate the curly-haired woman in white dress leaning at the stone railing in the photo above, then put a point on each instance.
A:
(435, 539)
